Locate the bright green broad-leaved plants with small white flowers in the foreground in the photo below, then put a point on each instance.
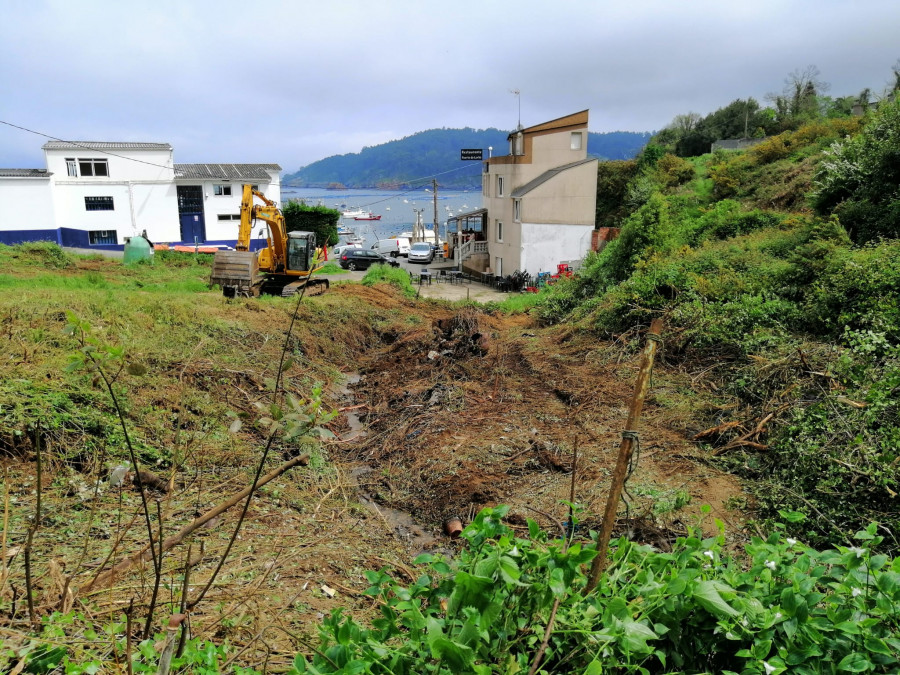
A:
(782, 607)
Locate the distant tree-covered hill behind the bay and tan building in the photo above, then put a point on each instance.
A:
(436, 153)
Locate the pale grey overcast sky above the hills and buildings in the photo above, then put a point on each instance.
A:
(294, 82)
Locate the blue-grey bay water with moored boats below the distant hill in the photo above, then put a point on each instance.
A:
(397, 208)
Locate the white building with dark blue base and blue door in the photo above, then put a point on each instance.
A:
(97, 194)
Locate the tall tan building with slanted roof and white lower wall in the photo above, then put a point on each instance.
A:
(540, 199)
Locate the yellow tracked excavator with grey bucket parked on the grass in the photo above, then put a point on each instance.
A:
(283, 268)
